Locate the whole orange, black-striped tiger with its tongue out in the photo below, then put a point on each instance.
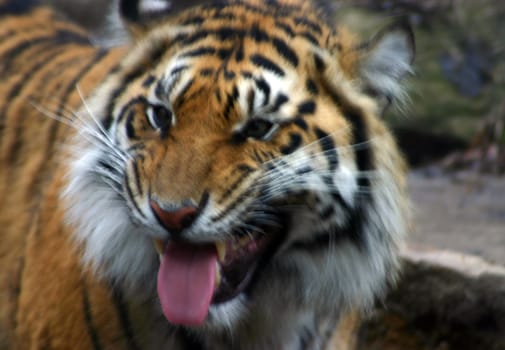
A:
(225, 180)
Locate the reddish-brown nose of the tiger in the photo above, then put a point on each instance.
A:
(175, 220)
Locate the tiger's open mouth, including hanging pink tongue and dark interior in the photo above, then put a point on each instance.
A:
(192, 277)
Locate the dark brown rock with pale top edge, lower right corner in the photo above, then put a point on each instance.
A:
(444, 301)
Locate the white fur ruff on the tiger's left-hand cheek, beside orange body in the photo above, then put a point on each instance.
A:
(113, 245)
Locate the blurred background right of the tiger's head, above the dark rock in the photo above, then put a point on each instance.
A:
(453, 128)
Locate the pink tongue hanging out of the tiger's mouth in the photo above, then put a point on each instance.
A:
(186, 282)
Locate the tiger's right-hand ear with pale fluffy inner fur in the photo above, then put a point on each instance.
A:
(385, 60)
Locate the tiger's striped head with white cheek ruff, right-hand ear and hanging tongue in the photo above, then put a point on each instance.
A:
(236, 164)
